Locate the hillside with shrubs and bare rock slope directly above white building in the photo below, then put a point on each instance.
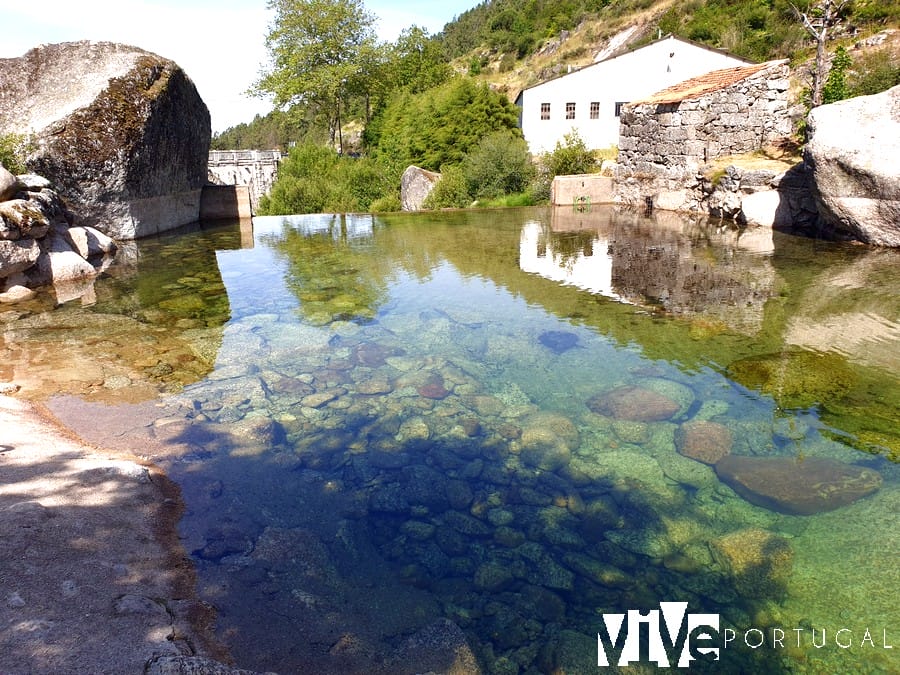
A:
(514, 44)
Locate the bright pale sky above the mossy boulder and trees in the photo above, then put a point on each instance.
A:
(219, 43)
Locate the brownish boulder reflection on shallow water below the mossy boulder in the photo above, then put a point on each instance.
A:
(150, 327)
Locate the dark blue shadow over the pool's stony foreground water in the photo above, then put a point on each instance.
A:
(335, 561)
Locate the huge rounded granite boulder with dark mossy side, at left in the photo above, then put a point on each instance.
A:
(121, 133)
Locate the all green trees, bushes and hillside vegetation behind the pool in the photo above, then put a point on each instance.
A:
(402, 103)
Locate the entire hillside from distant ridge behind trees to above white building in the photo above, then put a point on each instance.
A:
(514, 44)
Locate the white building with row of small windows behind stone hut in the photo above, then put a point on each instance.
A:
(589, 99)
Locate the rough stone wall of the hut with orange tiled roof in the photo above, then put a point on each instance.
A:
(666, 140)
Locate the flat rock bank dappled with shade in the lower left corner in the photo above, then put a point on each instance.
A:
(92, 577)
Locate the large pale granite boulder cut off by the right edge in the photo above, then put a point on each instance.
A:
(853, 148)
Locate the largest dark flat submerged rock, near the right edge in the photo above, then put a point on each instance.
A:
(797, 486)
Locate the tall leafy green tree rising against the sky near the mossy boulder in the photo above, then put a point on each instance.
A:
(316, 52)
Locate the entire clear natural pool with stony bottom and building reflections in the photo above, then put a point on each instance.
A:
(458, 441)
